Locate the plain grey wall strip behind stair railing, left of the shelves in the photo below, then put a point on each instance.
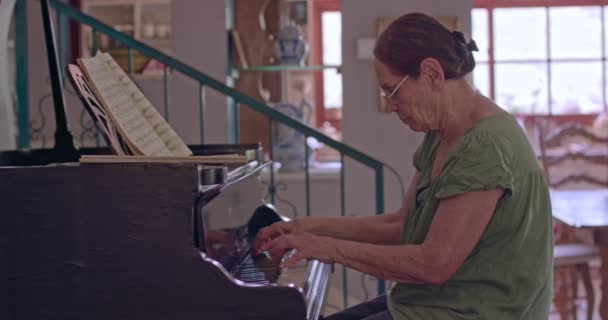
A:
(199, 31)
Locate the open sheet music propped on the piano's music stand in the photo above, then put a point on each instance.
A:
(132, 111)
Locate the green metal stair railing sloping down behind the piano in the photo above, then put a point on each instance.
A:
(239, 99)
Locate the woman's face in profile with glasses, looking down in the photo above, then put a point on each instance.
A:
(414, 101)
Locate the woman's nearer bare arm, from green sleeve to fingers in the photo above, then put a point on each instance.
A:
(456, 228)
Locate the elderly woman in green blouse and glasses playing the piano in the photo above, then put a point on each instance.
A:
(473, 239)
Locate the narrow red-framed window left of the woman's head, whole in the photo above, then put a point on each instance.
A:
(327, 50)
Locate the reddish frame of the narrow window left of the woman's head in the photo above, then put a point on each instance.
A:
(322, 114)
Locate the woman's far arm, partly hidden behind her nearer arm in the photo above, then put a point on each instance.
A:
(377, 229)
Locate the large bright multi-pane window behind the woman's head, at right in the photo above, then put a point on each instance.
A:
(542, 57)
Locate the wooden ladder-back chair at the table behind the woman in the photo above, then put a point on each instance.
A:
(572, 157)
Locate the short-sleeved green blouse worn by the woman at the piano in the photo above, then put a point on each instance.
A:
(508, 275)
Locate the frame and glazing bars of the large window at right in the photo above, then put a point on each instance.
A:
(490, 5)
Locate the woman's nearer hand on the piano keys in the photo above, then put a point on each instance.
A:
(305, 246)
